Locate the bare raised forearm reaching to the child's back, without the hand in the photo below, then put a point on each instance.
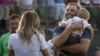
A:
(58, 40)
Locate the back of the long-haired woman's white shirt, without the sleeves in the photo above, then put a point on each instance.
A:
(24, 49)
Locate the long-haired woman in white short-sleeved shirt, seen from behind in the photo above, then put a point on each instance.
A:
(27, 41)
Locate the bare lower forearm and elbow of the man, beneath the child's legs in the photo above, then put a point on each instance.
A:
(77, 48)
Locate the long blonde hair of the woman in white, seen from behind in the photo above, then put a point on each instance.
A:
(28, 25)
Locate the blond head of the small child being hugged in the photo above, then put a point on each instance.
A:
(83, 13)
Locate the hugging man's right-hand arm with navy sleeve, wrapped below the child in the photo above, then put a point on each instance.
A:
(82, 46)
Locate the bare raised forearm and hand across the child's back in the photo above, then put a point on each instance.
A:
(58, 40)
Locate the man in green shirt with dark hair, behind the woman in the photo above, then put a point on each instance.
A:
(13, 22)
